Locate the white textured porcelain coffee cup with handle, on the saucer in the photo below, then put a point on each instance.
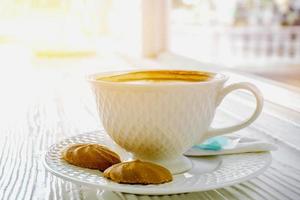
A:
(159, 121)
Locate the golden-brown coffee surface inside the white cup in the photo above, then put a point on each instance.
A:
(159, 76)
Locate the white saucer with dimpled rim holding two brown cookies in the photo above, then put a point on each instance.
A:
(207, 173)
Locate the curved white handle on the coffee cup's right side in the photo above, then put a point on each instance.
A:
(259, 105)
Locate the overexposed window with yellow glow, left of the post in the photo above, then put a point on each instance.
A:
(71, 28)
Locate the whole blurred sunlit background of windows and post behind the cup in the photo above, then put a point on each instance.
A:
(60, 38)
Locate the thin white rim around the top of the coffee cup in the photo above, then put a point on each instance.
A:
(219, 77)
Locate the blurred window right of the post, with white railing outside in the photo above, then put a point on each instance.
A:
(236, 32)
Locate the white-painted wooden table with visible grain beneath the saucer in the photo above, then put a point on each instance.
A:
(42, 105)
